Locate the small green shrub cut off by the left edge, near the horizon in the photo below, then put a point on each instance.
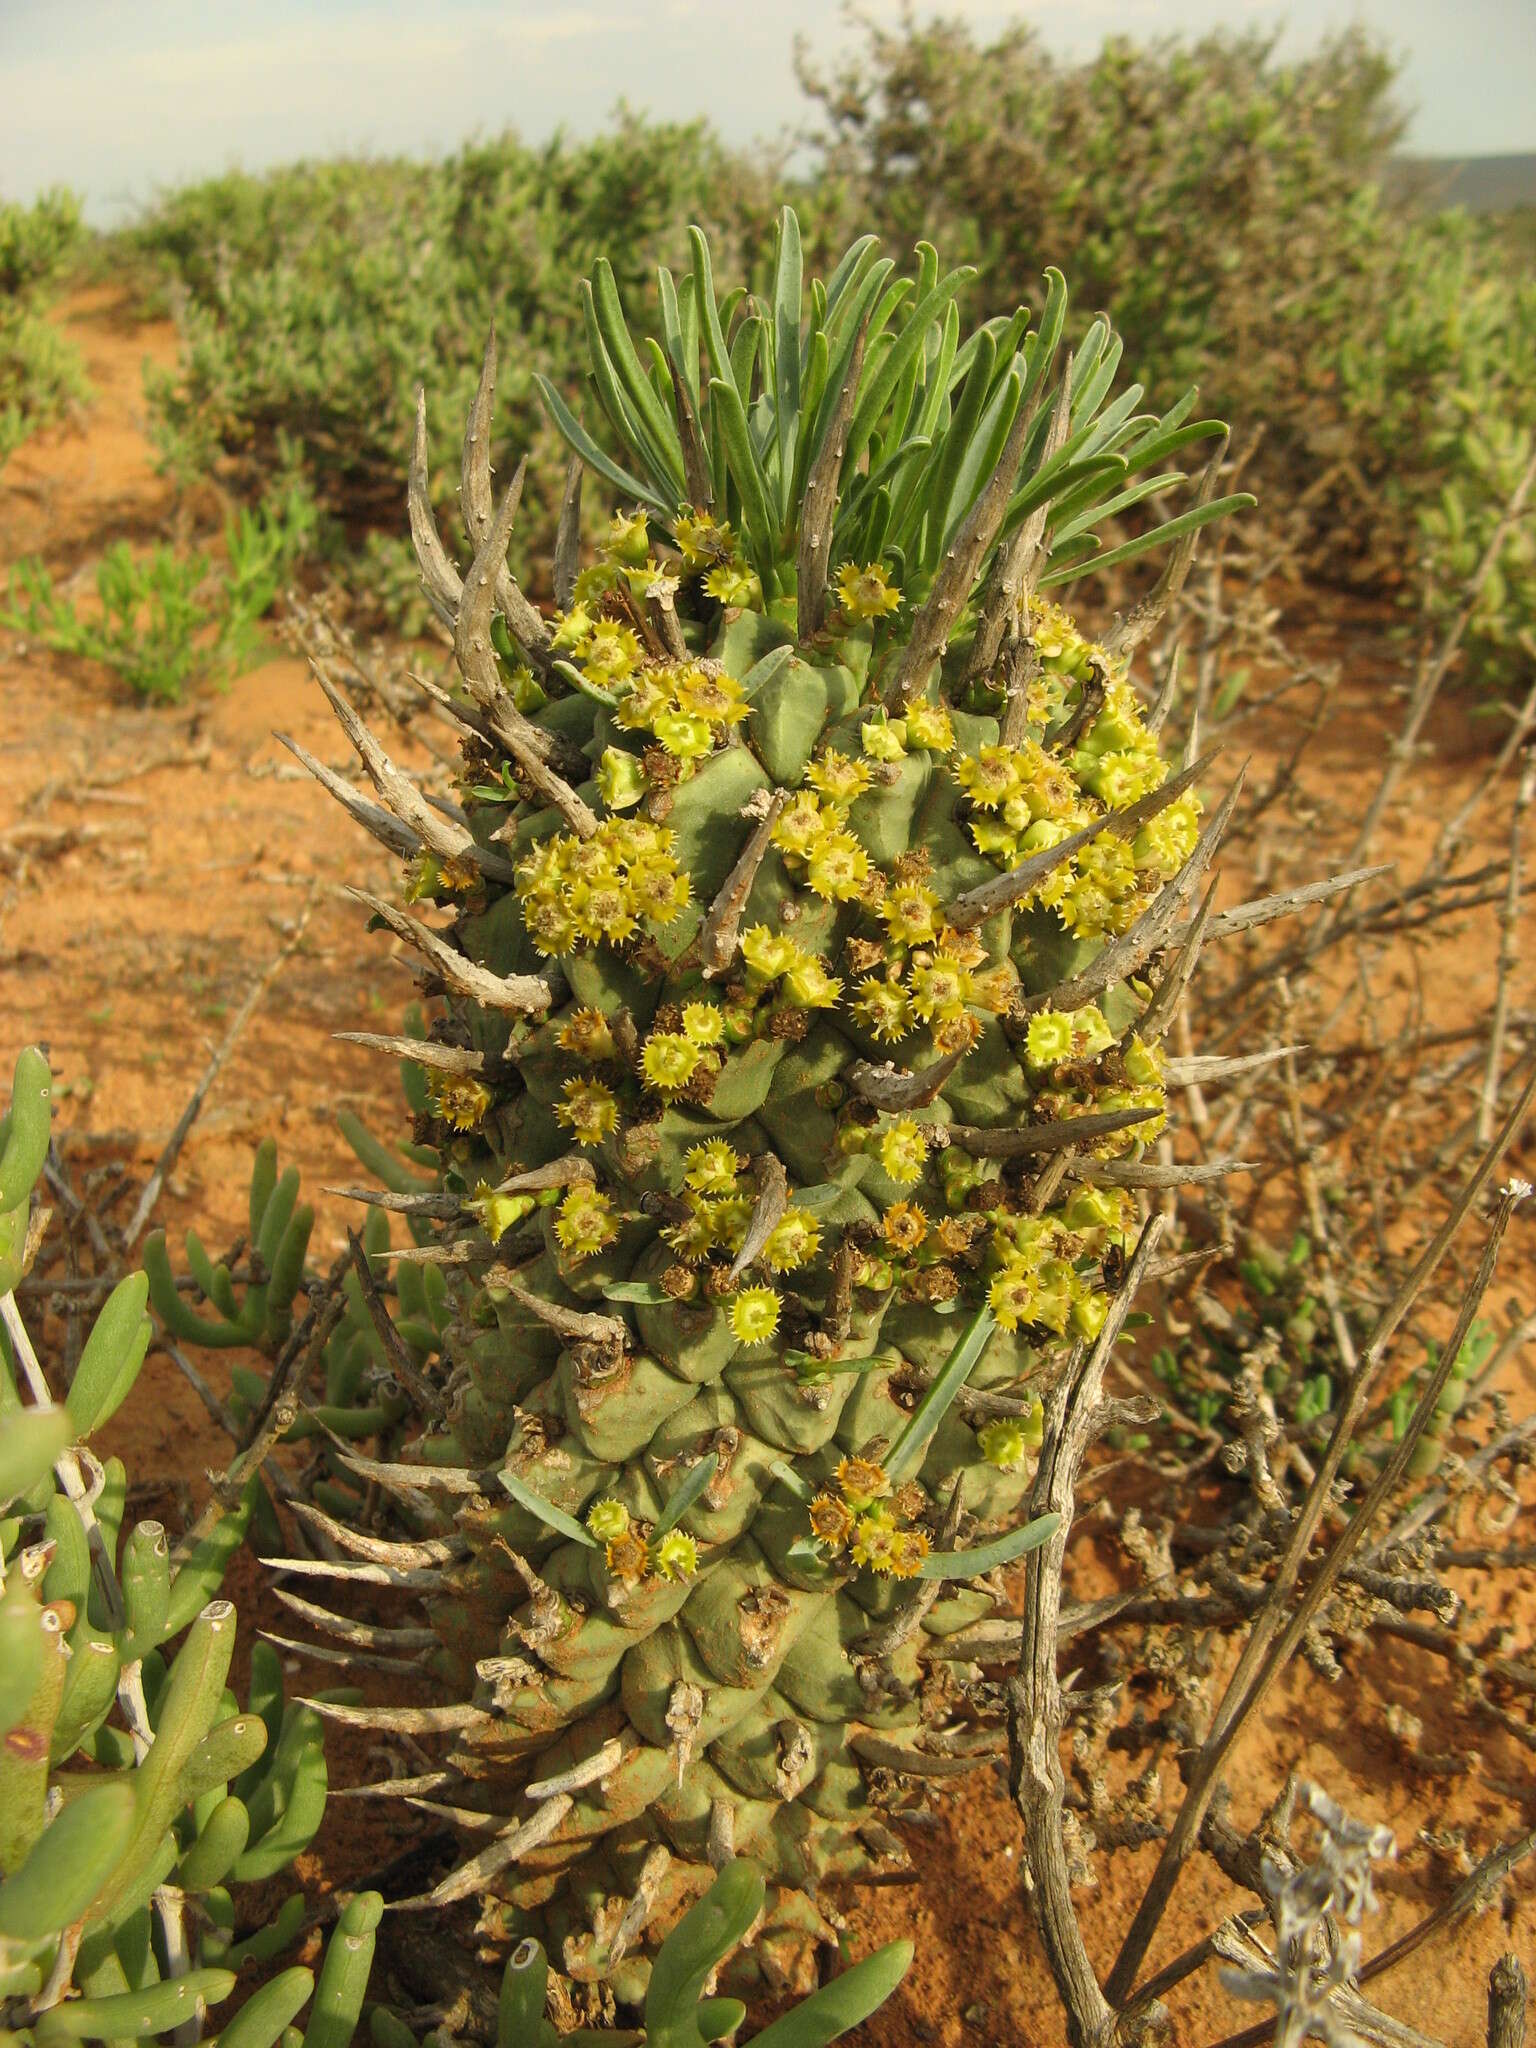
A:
(40, 372)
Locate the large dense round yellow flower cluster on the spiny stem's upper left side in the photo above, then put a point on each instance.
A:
(601, 890)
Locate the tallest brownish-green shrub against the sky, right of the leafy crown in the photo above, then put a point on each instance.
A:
(1222, 208)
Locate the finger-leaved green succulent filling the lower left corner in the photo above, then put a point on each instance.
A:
(134, 1789)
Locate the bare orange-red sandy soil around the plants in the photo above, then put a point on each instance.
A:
(153, 861)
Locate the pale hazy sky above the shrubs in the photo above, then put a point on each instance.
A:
(118, 97)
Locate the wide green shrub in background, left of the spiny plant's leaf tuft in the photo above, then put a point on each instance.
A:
(316, 300)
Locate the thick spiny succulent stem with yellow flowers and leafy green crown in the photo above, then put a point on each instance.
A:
(790, 1070)
